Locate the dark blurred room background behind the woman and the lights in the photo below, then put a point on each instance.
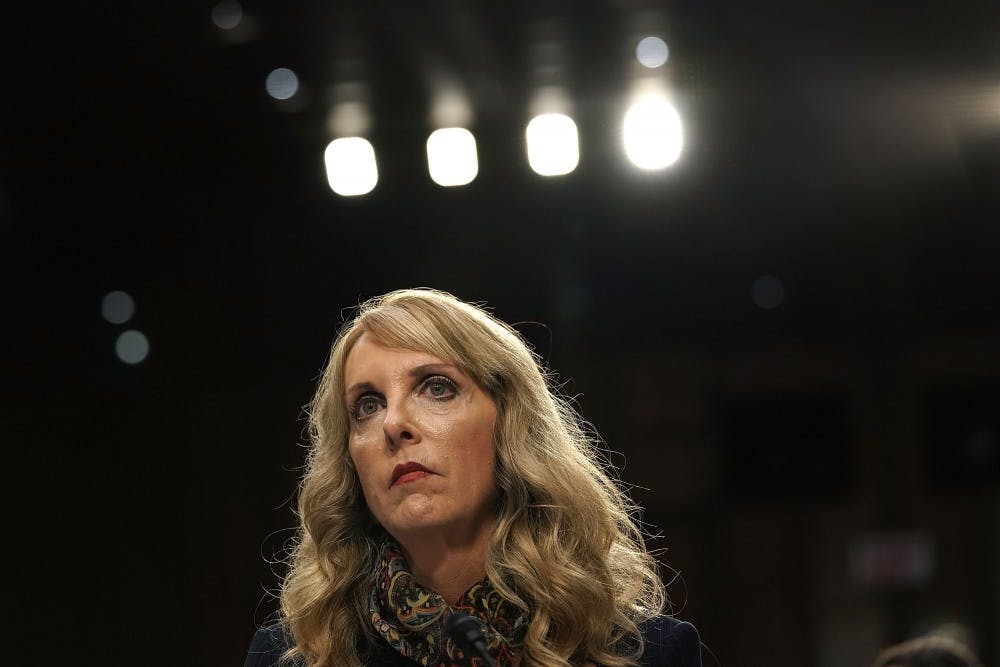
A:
(850, 149)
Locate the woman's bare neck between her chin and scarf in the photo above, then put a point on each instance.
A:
(447, 565)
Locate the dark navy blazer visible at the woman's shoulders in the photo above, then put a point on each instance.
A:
(669, 643)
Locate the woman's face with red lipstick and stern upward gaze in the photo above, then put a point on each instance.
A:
(421, 440)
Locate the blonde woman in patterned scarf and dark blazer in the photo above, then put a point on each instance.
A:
(445, 476)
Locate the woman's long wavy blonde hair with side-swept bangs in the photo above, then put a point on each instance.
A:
(566, 547)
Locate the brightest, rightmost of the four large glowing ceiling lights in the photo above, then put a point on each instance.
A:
(653, 134)
